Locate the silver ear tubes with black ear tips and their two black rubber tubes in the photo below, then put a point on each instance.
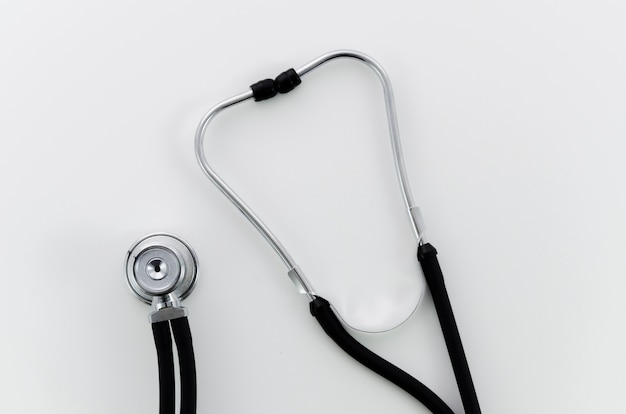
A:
(320, 308)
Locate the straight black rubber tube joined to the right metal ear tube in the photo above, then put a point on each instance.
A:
(427, 256)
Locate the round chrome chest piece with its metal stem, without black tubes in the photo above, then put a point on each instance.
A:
(161, 269)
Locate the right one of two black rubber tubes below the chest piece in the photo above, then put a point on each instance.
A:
(187, 362)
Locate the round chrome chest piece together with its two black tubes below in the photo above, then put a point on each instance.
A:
(161, 269)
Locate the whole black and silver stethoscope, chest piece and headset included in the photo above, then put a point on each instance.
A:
(161, 270)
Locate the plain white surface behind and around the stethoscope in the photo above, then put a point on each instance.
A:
(512, 119)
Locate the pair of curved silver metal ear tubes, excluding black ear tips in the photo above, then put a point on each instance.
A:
(294, 271)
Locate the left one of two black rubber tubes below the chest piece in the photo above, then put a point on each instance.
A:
(165, 356)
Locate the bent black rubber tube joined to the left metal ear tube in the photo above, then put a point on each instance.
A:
(322, 311)
